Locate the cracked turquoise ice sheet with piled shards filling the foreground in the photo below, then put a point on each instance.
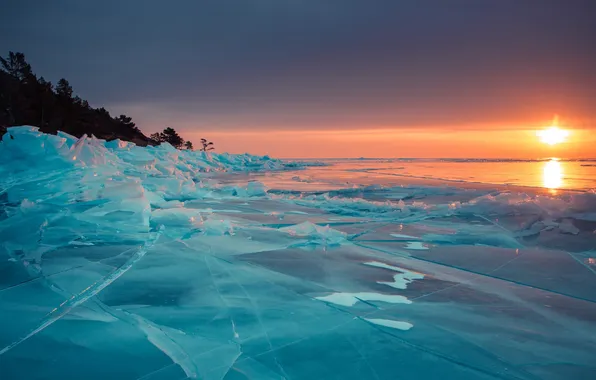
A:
(152, 263)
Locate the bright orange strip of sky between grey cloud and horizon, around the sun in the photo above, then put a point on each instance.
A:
(483, 141)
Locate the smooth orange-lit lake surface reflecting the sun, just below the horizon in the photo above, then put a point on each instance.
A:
(553, 174)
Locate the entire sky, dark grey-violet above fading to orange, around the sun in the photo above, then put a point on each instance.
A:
(328, 78)
